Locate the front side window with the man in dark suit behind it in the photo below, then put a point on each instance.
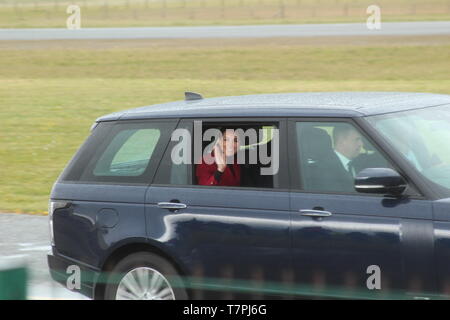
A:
(331, 154)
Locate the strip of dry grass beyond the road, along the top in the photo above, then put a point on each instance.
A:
(125, 13)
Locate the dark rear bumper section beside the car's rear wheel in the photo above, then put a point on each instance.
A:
(72, 275)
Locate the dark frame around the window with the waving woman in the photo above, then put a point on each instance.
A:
(283, 173)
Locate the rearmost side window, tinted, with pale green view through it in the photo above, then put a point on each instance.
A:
(127, 153)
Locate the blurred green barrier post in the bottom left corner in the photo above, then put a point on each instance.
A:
(13, 279)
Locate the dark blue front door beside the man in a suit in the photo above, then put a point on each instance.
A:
(347, 244)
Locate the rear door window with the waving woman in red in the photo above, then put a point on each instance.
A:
(253, 161)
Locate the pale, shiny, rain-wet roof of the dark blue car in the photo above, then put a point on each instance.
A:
(312, 104)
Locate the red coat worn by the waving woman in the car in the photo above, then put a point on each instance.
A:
(207, 176)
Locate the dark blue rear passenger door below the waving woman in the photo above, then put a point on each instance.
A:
(224, 237)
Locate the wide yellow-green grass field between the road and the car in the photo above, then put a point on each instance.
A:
(51, 93)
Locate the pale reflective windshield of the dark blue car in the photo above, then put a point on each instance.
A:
(422, 137)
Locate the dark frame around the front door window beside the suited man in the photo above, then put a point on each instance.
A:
(413, 191)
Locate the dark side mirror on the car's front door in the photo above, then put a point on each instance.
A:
(380, 181)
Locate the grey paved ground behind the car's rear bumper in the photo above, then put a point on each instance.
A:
(26, 238)
